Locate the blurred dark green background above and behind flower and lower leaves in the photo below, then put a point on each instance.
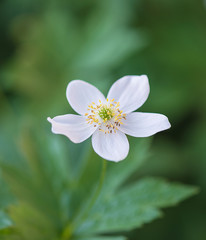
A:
(46, 44)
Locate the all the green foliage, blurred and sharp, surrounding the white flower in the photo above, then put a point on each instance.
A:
(47, 183)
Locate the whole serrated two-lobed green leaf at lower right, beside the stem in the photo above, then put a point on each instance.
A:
(134, 205)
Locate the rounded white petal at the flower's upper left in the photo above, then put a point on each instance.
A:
(80, 94)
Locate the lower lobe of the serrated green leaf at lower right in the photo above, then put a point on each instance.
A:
(112, 218)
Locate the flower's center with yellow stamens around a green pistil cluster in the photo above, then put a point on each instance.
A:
(106, 115)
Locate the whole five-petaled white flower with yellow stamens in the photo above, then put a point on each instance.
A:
(108, 120)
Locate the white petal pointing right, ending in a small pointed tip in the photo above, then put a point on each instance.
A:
(139, 124)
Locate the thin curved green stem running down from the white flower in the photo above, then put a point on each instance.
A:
(70, 227)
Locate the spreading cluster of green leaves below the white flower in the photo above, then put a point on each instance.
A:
(52, 204)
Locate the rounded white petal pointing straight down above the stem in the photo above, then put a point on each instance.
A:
(111, 146)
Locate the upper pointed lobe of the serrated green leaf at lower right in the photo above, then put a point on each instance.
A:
(157, 192)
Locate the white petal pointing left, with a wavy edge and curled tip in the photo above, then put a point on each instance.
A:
(73, 126)
